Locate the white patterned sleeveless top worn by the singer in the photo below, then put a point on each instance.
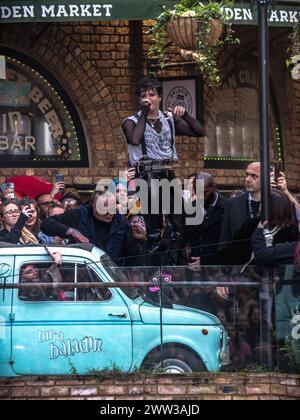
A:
(158, 145)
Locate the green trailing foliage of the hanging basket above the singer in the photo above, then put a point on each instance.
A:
(206, 56)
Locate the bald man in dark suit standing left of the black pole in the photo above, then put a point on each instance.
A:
(240, 220)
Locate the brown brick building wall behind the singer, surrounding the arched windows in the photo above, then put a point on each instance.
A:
(97, 64)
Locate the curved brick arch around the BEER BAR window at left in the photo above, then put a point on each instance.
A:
(53, 48)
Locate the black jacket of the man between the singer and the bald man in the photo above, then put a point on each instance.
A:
(204, 238)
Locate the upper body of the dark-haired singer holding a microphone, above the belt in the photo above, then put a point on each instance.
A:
(151, 133)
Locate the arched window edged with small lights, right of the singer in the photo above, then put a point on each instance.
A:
(232, 122)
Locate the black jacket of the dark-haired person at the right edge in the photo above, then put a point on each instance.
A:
(280, 254)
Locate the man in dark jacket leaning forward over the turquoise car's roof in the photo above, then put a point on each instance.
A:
(100, 224)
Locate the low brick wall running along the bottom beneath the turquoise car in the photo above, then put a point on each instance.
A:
(157, 387)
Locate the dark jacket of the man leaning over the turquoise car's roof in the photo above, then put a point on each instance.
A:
(119, 234)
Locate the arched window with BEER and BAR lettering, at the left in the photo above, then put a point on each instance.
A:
(36, 125)
